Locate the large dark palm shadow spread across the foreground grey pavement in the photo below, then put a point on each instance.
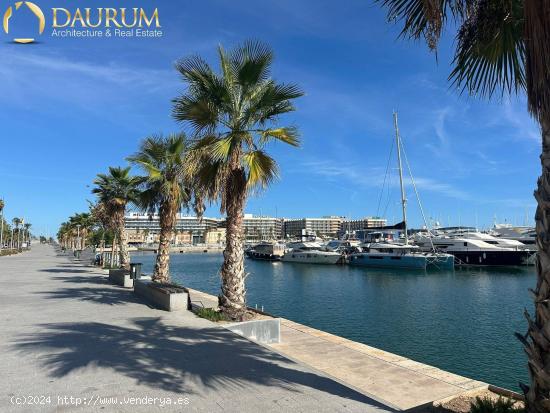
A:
(171, 357)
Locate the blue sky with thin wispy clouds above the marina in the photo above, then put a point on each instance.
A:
(72, 107)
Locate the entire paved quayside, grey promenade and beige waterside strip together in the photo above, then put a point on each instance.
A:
(67, 332)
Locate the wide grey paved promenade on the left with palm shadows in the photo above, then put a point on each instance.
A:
(67, 333)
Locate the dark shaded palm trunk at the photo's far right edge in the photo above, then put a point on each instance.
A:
(537, 340)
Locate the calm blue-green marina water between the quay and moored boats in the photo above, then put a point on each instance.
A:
(462, 321)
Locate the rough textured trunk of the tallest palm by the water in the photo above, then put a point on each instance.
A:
(232, 299)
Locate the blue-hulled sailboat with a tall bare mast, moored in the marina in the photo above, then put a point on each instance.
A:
(397, 255)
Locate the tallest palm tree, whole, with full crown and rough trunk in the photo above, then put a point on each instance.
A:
(234, 115)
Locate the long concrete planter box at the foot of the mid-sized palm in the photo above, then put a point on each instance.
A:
(165, 297)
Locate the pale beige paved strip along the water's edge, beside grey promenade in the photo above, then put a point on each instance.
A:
(391, 379)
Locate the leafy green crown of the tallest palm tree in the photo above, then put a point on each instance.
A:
(233, 115)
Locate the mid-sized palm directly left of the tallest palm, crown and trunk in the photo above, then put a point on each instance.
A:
(165, 188)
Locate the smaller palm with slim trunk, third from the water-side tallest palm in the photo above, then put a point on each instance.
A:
(116, 190)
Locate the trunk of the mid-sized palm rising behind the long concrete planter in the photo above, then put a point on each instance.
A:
(168, 212)
